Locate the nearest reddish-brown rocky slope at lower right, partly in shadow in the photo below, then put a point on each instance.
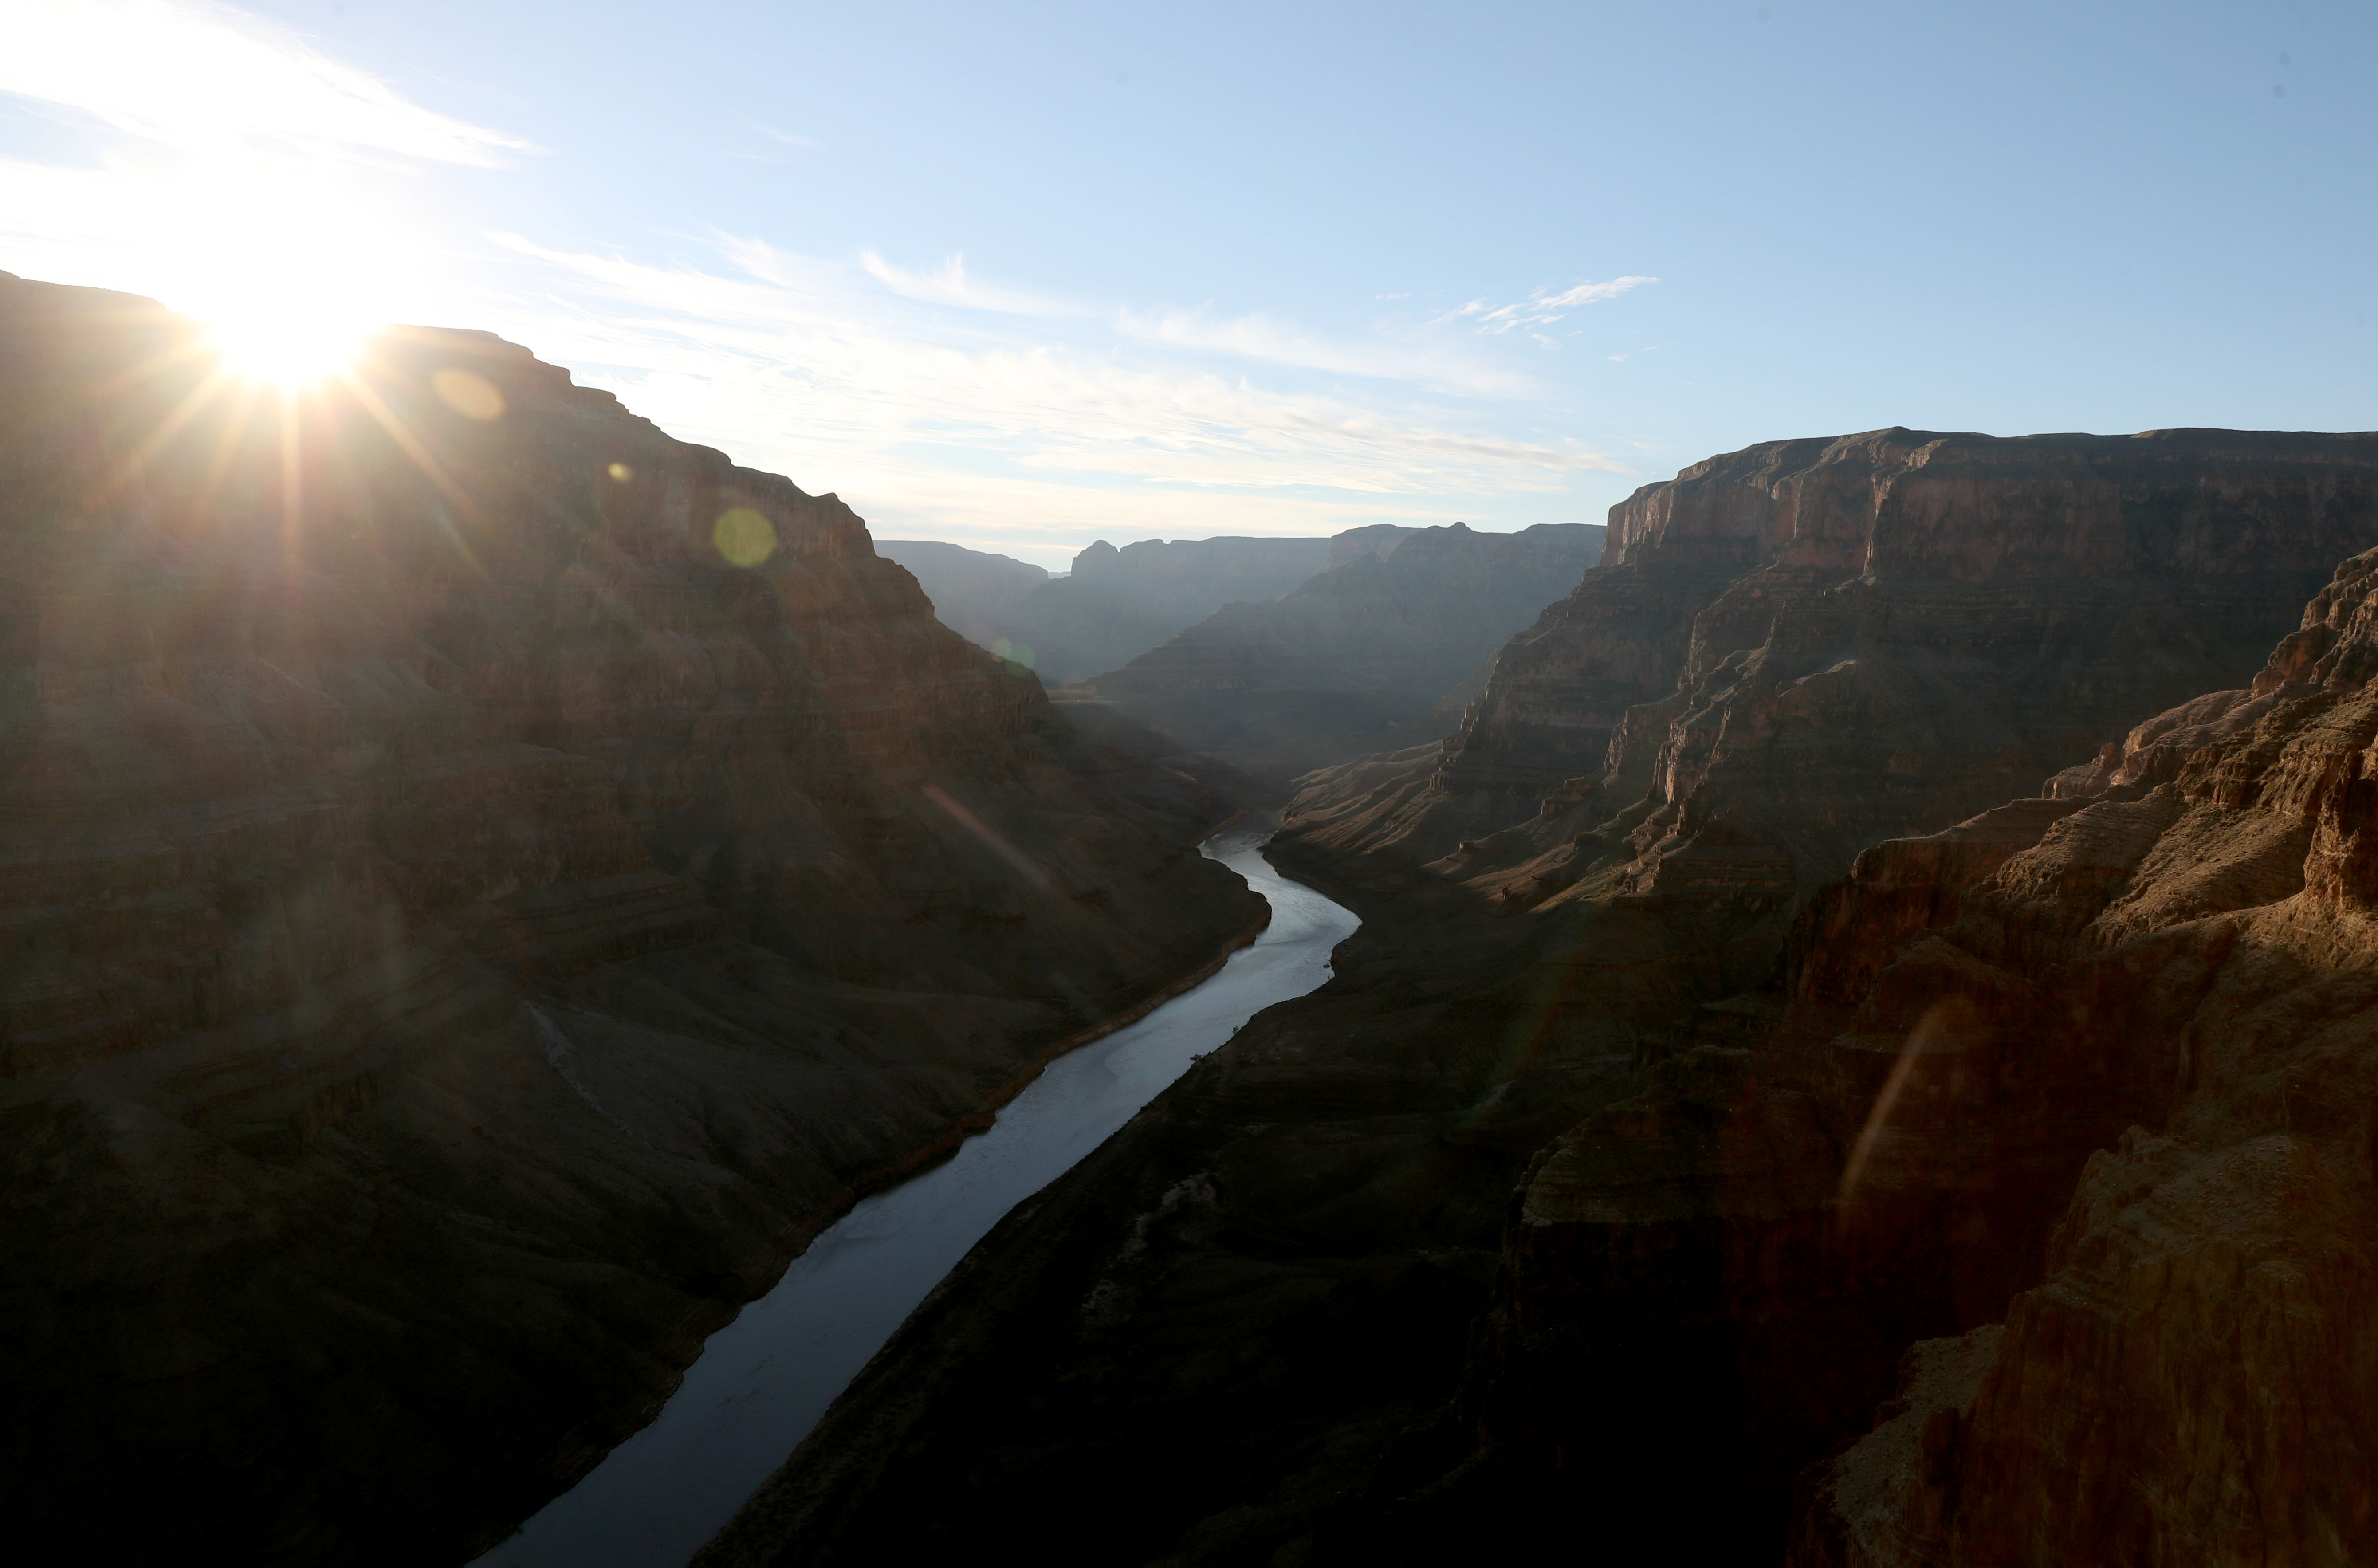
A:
(2068, 1108)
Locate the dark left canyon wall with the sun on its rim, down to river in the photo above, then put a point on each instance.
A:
(479, 886)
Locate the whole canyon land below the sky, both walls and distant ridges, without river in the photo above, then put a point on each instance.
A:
(1861, 1046)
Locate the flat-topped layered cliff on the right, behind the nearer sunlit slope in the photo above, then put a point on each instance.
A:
(1804, 646)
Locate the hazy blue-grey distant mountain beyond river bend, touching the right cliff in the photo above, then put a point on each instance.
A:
(1354, 660)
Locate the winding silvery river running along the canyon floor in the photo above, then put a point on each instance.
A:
(767, 1379)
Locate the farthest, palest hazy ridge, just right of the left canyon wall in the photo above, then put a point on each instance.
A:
(1121, 603)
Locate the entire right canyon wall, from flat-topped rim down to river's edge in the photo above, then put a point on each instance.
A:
(1858, 1053)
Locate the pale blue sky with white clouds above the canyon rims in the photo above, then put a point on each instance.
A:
(1036, 275)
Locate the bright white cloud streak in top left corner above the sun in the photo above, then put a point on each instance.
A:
(191, 70)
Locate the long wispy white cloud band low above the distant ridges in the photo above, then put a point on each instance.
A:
(786, 365)
